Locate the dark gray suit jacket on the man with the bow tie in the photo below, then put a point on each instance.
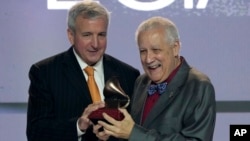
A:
(186, 111)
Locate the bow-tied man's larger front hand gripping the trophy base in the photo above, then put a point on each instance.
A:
(118, 129)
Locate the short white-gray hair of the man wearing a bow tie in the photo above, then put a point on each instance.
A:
(171, 31)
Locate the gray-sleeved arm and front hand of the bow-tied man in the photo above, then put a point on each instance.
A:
(197, 125)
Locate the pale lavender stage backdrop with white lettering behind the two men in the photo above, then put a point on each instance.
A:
(215, 37)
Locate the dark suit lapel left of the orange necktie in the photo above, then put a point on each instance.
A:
(74, 74)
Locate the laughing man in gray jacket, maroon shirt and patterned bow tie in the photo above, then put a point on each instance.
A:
(172, 101)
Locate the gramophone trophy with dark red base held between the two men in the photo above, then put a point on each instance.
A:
(115, 98)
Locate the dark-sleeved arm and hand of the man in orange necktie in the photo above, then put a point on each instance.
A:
(51, 116)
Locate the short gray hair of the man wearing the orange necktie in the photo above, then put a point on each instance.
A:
(88, 9)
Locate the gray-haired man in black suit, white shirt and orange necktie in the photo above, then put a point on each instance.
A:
(60, 94)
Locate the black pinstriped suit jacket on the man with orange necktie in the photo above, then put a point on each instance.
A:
(58, 95)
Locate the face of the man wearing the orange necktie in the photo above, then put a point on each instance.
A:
(89, 38)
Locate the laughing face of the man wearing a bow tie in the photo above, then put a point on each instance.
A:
(158, 57)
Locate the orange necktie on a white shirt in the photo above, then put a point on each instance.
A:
(94, 91)
